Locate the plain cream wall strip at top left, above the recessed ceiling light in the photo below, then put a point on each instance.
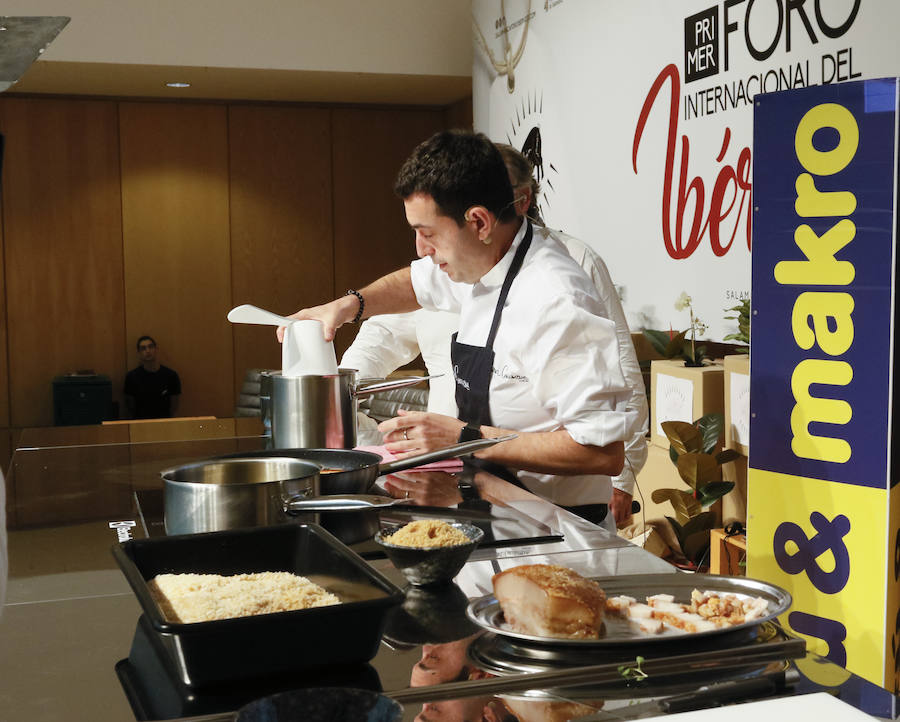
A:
(418, 37)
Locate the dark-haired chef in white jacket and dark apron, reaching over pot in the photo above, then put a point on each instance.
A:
(549, 372)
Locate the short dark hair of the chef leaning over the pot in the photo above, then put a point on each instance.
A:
(459, 169)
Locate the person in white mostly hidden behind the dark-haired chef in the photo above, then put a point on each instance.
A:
(387, 342)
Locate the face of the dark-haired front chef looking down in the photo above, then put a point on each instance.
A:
(457, 251)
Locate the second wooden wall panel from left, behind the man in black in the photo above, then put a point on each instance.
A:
(176, 245)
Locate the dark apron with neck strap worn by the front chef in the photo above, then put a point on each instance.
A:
(472, 368)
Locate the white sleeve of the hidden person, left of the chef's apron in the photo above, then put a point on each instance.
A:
(384, 343)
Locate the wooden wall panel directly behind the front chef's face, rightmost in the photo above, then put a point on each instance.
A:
(371, 236)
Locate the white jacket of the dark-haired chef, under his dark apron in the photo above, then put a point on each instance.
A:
(556, 363)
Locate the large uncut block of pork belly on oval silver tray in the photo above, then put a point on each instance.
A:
(550, 601)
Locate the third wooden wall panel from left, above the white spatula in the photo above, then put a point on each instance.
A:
(281, 233)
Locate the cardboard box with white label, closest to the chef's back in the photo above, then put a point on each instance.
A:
(683, 393)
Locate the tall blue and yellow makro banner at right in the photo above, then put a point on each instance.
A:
(822, 515)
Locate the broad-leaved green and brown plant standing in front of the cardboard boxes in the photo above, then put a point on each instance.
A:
(692, 448)
